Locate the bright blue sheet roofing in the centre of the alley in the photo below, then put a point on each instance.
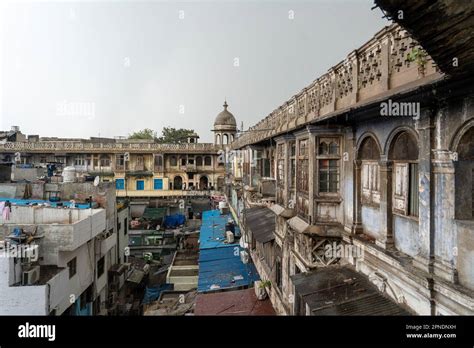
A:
(220, 266)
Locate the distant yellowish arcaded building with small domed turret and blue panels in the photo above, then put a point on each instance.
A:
(140, 168)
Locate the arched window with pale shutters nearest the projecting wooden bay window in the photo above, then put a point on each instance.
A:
(369, 155)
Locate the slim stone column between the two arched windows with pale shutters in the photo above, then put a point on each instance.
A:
(386, 217)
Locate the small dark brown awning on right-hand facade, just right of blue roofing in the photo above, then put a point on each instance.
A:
(261, 222)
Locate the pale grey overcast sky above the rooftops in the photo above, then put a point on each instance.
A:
(80, 69)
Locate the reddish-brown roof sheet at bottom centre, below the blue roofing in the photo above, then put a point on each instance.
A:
(238, 302)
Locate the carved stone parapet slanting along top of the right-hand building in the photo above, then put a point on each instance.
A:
(384, 65)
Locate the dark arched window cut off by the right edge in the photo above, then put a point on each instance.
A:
(464, 177)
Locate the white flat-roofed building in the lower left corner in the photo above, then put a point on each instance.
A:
(68, 275)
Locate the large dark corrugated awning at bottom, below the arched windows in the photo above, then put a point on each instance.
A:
(340, 290)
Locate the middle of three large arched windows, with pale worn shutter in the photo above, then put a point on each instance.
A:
(404, 154)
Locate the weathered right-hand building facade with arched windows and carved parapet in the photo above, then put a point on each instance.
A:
(377, 155)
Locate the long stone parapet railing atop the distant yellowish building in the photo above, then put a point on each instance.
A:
(110, 147)
